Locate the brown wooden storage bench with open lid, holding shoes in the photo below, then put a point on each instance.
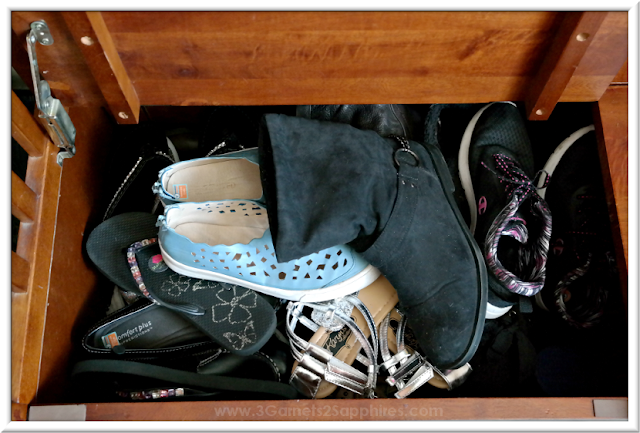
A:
(105, 66)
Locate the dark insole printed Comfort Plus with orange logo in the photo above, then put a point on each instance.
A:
(151, 327)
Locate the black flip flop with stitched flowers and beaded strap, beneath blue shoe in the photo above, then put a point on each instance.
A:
(125, 251)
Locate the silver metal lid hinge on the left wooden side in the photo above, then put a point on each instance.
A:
(52, 114)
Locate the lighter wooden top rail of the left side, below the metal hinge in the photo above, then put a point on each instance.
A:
(35, 243)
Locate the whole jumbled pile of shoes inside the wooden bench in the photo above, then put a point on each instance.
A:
(388, 256)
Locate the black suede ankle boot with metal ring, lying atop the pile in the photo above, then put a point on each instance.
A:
(328, 184)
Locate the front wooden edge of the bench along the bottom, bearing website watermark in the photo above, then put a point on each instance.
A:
(435, 409)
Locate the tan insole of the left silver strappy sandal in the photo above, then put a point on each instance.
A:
(379, 297)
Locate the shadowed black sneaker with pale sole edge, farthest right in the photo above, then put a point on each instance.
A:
(581, 263)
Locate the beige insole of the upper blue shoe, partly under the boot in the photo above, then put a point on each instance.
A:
(215, 179)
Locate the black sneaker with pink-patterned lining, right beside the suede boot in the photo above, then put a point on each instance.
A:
(510, 221)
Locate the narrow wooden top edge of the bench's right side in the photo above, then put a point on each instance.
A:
(611, 121)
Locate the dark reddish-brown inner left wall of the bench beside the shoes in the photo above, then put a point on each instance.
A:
(76, 297)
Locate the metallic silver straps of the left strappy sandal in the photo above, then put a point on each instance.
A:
(316, 364)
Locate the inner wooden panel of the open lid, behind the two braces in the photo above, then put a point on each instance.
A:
(288, 58)
